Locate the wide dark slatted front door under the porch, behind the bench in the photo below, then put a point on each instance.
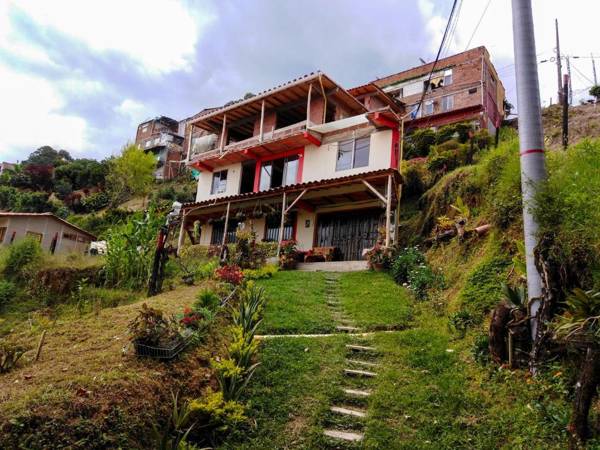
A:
(350, 232)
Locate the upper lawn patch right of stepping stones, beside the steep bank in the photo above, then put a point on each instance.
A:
(374, 301)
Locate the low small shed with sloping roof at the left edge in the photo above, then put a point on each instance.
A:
(55, 235)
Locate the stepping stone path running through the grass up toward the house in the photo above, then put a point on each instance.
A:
(345, 421)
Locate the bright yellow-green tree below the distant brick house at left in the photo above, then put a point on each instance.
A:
(130, 174)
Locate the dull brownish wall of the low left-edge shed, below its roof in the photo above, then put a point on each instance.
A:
(48, 227)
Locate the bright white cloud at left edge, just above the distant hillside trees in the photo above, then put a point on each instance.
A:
(33, 118)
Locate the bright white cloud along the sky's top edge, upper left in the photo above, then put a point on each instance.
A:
(160, 34)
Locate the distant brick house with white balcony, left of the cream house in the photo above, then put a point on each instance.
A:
(161, 137)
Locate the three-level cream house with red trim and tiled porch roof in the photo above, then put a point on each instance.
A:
(306, 160)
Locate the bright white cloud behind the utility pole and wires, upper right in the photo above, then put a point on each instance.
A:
(495, 32)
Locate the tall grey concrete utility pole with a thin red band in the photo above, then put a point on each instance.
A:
(531, 142)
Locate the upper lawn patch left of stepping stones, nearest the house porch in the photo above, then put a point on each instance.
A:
(296, 304)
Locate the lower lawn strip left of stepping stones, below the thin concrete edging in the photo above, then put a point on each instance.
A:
(290, 392)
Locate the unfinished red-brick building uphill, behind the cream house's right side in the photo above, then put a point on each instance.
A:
(463, 87)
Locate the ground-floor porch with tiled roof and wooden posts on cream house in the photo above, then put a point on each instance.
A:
(343, 213)
